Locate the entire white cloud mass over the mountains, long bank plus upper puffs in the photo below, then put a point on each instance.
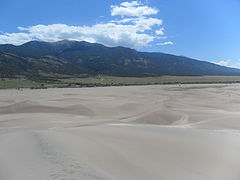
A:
(134, 32)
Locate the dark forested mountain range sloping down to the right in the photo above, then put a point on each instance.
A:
(76, 58)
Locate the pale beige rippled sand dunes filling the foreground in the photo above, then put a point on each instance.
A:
(188, 132)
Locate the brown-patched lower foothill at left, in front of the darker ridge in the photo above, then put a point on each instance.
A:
(12, 65)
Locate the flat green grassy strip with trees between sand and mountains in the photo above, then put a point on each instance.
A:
(58, 82)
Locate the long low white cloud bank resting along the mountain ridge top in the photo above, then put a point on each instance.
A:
(109, 34)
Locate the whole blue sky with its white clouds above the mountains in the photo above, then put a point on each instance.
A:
(203, 29)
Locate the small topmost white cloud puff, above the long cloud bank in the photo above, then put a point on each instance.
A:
(133, 8)
